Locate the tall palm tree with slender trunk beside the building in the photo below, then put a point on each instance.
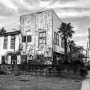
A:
(66, 33)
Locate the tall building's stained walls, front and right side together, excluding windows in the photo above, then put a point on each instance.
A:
(32, 24)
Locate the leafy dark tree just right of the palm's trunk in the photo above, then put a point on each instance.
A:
(75, 53)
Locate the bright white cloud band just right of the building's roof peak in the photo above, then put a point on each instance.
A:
(72, 12)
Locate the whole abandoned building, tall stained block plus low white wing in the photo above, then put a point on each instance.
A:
(38, 35)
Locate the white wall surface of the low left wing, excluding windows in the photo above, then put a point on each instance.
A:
(4, 52)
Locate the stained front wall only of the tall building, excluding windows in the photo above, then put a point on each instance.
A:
(32, 24)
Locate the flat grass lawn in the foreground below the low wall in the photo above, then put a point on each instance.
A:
(28, 82)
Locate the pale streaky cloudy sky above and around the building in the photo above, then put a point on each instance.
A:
(76, 12)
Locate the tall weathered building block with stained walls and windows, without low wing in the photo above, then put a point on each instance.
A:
(39, 33)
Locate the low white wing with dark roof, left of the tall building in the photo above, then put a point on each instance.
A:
(9, 46)
